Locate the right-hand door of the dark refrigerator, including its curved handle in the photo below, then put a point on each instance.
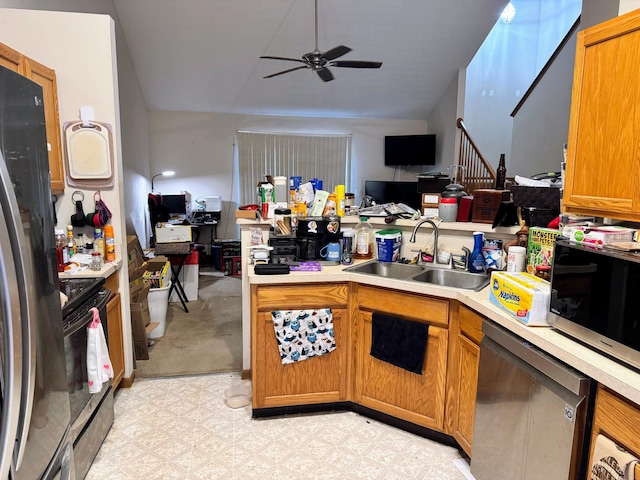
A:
(25, 195)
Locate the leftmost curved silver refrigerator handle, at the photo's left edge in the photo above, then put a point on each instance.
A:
(12, 319)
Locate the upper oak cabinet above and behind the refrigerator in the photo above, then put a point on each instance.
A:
(46, 78)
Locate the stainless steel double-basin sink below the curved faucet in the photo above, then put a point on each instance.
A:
(423, 274)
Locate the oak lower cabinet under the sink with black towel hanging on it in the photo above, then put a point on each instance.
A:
(379, 385)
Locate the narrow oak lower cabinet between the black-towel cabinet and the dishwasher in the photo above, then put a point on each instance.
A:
(466, 335)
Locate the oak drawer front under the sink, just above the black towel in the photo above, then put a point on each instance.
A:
(407, 305)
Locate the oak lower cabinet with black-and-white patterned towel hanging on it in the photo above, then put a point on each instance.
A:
(322, 379)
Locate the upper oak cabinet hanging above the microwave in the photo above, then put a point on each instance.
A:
(603, 156)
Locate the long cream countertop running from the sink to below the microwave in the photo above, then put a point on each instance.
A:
(615, 376)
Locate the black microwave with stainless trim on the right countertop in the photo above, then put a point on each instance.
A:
(595, 298)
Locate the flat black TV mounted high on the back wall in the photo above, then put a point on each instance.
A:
(406, 150)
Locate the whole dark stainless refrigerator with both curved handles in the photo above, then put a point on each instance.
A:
(34, 398)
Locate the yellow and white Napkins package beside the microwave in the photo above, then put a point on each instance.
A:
(525, 296)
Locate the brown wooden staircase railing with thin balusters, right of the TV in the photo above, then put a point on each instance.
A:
(475, 171)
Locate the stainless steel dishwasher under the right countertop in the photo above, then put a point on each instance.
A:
(530, 414)
